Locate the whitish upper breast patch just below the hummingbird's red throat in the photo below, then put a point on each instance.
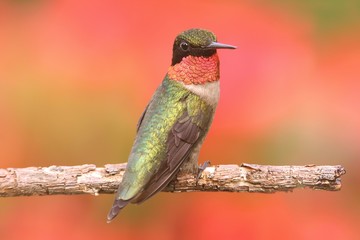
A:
(210, 91)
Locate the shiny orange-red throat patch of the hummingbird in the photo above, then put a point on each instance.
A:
(195, 70)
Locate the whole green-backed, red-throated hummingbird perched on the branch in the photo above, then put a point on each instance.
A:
(173, 126)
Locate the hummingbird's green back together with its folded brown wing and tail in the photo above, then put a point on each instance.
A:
(171, 127)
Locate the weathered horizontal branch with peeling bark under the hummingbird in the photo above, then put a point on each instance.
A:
(232, 178)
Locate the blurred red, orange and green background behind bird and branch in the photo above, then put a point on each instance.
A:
(76, 75)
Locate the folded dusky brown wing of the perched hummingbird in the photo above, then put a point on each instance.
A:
(181, 139)
